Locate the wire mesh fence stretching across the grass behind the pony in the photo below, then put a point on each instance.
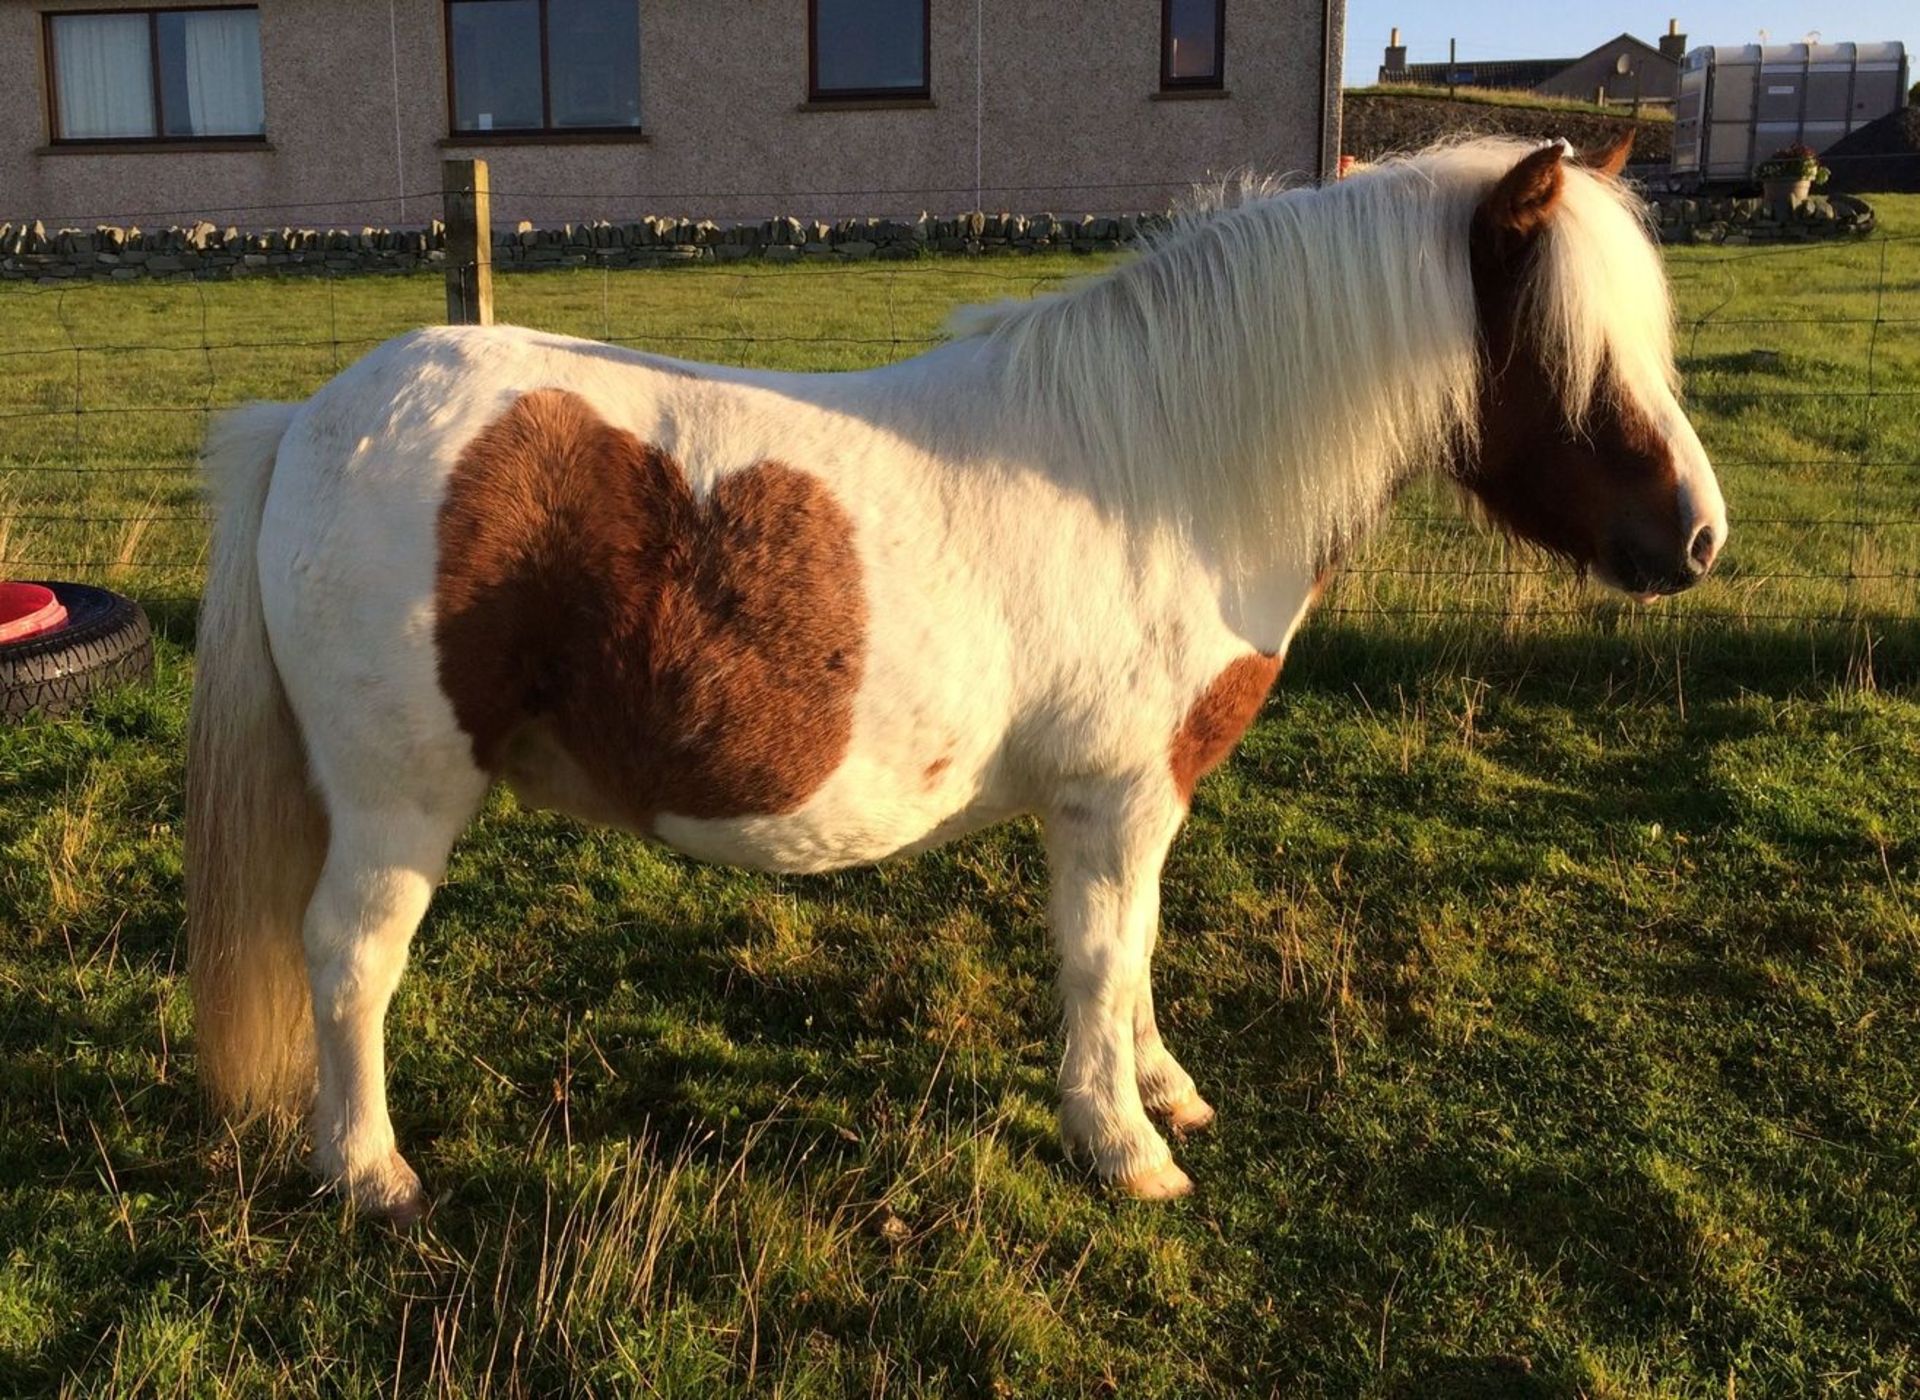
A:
(1802, 366)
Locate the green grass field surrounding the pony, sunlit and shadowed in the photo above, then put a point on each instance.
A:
(1556, 973)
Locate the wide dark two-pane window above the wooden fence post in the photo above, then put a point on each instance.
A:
(544, 64)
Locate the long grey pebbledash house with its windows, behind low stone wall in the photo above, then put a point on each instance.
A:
(339, 112)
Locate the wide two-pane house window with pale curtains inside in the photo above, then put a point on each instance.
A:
(156, 76)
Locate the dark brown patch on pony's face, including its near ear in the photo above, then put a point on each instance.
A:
(1606, 493)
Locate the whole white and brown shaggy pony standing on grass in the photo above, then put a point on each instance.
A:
(811, 621)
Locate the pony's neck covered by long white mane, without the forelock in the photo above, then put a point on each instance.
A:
(1266, 375)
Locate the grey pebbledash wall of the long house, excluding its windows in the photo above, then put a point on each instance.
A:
(1057, 99)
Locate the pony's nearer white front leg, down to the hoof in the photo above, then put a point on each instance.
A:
(1105, 848)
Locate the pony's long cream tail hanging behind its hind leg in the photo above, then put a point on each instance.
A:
(256, 833)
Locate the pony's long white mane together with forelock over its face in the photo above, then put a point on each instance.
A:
(1274, 366)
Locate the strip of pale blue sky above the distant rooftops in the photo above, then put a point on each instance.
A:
(1524, 30)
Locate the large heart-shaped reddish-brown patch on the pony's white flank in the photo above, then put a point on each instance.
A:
(692, 658)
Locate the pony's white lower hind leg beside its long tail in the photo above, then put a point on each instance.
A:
(381, 871)
